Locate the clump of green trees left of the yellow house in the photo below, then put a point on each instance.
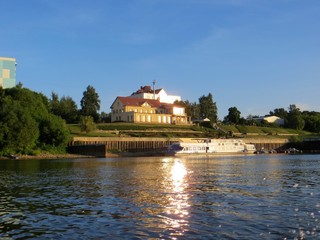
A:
(30, 122)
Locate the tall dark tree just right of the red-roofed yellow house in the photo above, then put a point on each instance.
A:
(208, 108)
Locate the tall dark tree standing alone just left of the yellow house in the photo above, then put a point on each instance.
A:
(90, 103)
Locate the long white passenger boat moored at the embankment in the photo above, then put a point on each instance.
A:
(211, 146)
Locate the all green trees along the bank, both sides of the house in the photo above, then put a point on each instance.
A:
(31, 122)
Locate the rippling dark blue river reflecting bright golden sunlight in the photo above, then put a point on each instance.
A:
(238, 197)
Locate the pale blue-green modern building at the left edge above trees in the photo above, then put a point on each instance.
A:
(7, 72)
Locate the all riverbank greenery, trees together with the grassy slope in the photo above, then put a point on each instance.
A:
(32, 124)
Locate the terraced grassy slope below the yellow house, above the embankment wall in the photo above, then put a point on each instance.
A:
(149, 130)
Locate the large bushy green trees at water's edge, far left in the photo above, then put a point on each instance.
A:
(23, 125)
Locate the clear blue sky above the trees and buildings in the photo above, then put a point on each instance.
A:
(256, 55)
